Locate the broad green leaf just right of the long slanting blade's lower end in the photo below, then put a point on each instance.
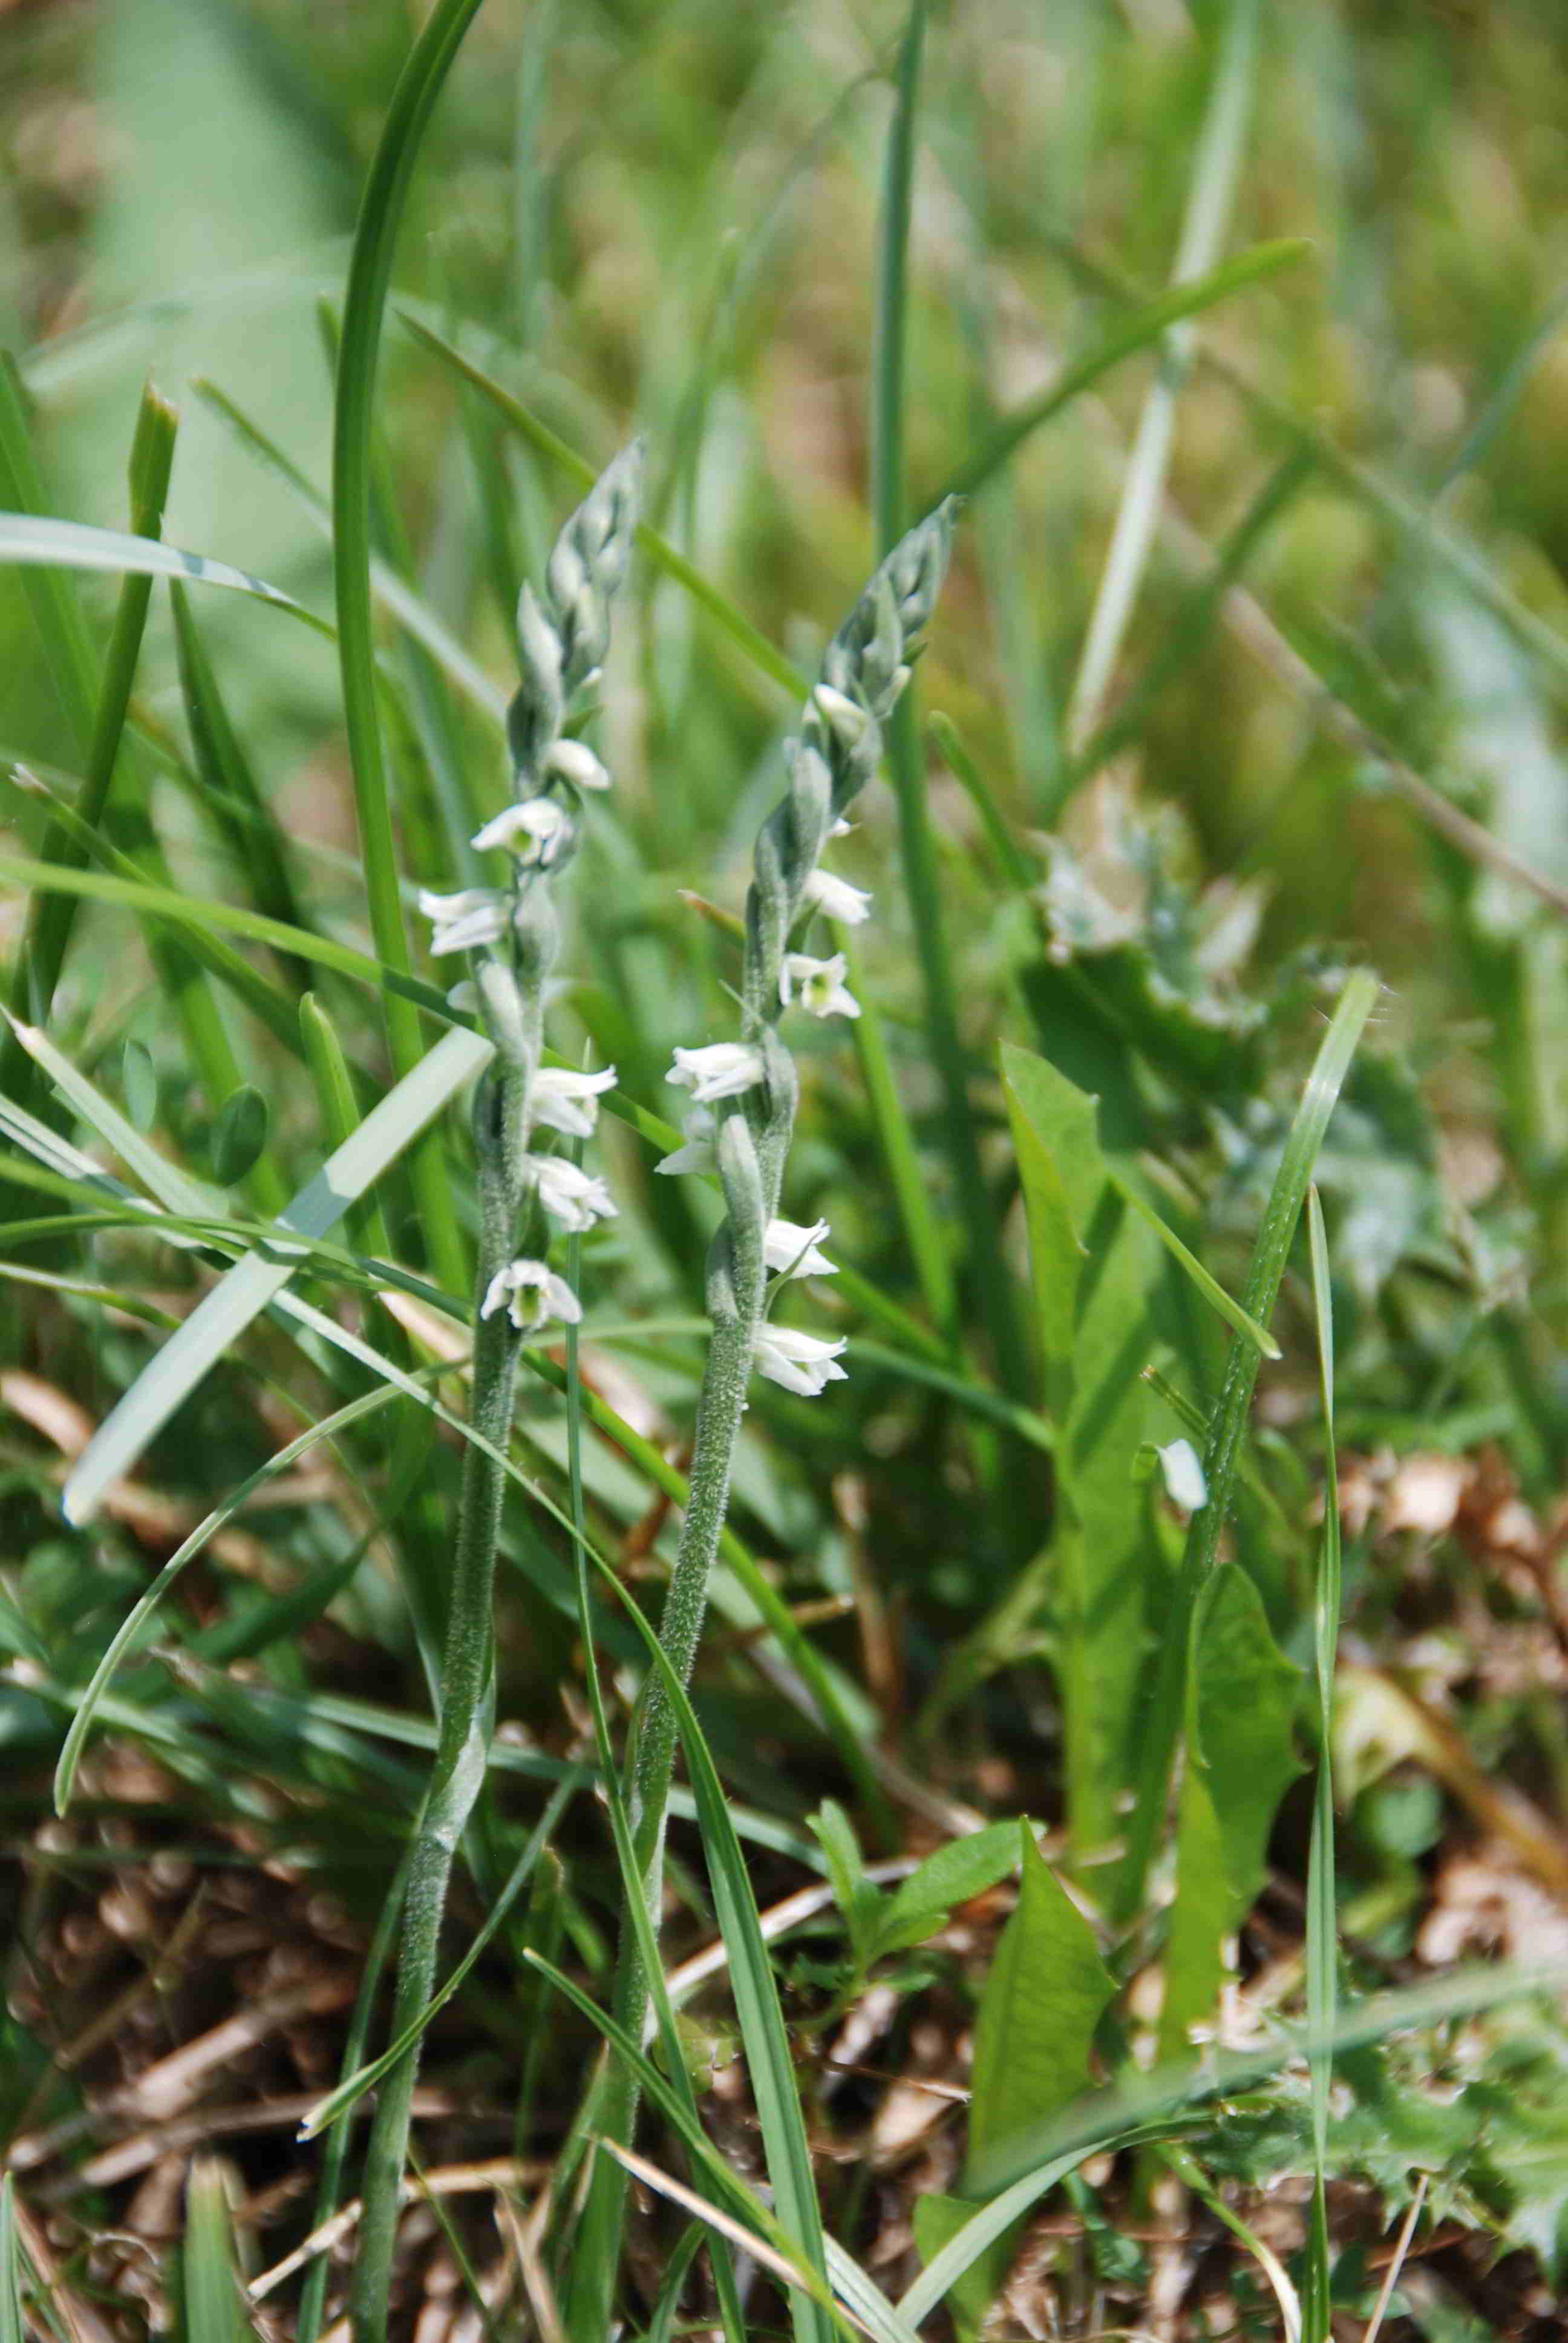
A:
(1241, 1758)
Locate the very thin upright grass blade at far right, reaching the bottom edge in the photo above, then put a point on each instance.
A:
(1321, 1908)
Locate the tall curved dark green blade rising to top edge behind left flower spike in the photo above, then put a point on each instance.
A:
(353, 423)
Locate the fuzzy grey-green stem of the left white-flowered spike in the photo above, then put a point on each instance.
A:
(465, 1695)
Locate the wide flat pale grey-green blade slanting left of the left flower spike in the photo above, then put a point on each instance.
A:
(252, 1283)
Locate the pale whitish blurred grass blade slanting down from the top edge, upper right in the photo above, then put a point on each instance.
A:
(1208, 212)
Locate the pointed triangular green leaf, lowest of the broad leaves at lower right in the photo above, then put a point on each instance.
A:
(1039, 2009)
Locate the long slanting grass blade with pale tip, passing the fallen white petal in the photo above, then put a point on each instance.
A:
(1161, 1726)
